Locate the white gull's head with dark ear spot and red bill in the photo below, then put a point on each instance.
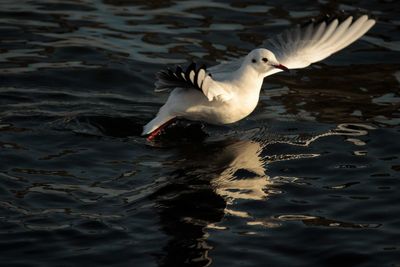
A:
(263, 60)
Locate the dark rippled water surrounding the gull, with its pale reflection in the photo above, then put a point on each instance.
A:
(309, 179)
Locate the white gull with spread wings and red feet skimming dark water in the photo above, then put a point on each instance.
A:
(229, 92)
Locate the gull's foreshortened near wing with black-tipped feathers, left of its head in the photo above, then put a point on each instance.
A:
(192, 78)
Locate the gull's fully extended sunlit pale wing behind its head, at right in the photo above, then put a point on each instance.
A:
(299, 47)
